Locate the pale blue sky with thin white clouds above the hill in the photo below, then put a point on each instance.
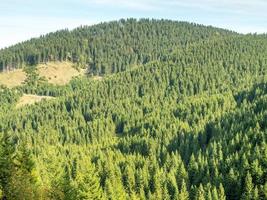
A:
(21, 20)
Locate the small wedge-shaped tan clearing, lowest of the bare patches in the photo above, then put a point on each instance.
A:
(28, 99)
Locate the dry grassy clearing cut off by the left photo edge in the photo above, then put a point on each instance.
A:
(13, 78)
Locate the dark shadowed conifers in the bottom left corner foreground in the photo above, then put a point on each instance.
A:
(17, 171)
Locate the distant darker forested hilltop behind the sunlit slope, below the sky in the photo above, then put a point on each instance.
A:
(108, 47)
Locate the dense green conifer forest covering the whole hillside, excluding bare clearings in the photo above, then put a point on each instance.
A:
(181, 113)
